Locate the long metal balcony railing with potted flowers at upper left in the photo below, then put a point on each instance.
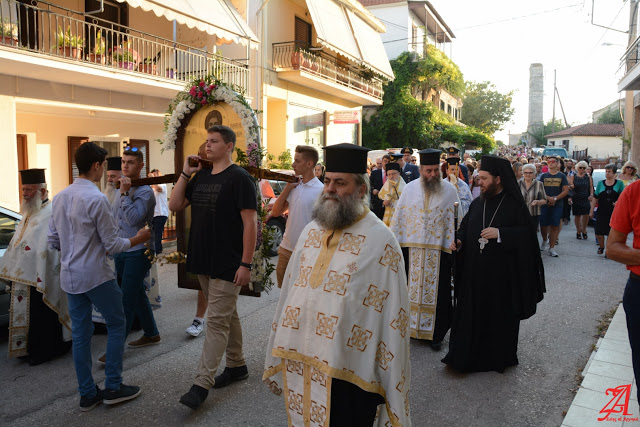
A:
(68, 35)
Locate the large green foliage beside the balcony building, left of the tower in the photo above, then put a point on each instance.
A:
(403, 121)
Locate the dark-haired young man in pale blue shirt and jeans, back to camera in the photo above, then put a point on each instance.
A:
(84, 230)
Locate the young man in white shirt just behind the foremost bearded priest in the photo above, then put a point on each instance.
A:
(298, 198)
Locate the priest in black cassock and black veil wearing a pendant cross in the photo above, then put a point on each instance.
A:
(499, 274)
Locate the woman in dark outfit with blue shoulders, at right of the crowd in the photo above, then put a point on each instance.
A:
(606, 195)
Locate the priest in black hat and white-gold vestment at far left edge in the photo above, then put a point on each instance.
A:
(39, 322)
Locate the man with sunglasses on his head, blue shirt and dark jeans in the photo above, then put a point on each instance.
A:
(133, 210)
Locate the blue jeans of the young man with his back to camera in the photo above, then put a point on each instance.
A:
(107, 297)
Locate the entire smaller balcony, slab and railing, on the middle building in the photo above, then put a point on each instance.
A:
(312, 67)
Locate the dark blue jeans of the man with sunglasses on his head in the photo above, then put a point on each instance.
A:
(132, 267)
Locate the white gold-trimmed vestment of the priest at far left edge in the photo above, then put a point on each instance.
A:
(29, 261)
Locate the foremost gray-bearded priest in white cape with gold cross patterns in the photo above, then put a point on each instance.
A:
(339, 346)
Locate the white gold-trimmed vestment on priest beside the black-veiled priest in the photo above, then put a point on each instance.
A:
(424, 224)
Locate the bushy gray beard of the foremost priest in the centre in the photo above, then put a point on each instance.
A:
(335, 212)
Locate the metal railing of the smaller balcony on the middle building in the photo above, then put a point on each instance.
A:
(291, 56)
